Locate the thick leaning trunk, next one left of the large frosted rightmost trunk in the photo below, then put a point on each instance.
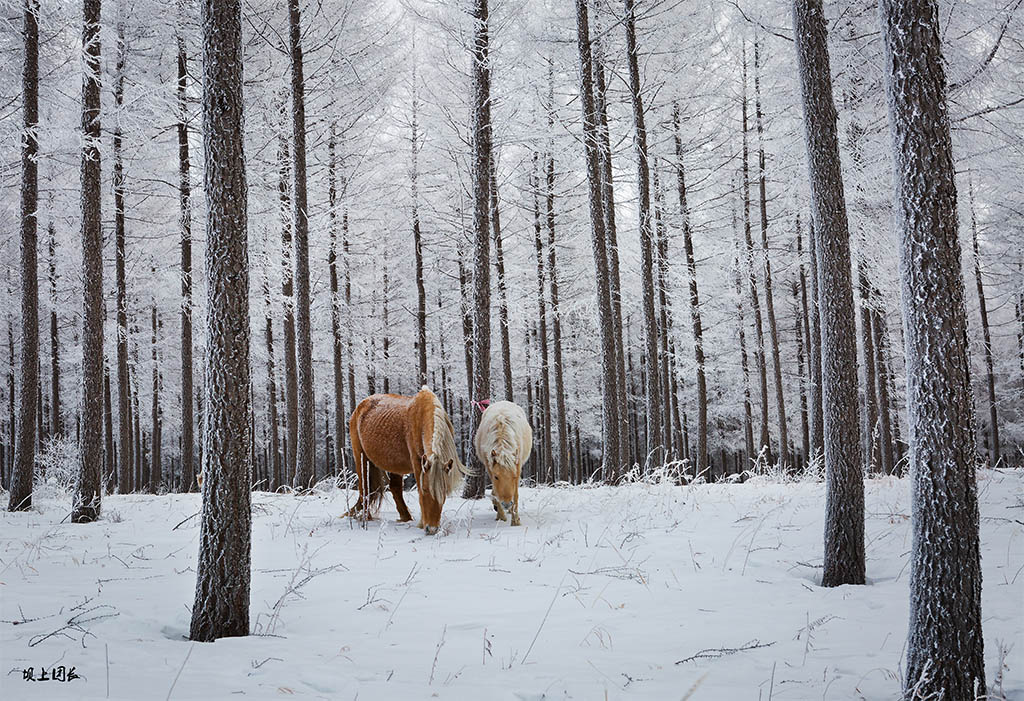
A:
(844, 542)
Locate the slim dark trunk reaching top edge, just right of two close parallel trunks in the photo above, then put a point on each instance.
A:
(656, 441)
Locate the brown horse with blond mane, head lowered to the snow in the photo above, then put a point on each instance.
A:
(395, 435)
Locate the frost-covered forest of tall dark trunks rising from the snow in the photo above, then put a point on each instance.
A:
(713, 241)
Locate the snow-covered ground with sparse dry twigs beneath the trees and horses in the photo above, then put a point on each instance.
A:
(604, 593)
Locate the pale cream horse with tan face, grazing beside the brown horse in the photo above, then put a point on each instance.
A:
(503, 443)
